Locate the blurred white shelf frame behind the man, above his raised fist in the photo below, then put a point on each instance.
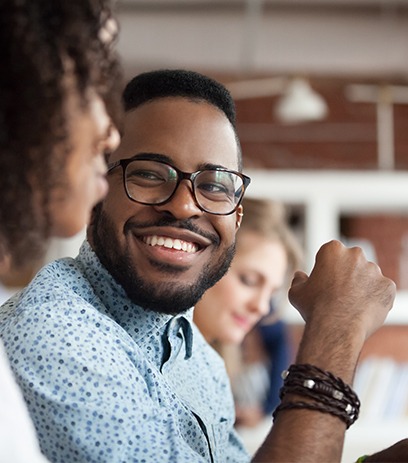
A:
(325, 195)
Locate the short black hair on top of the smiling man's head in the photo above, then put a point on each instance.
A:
(192, 85)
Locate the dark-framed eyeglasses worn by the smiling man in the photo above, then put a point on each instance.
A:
(150, 182)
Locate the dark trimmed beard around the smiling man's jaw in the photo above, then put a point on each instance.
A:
(169, 298)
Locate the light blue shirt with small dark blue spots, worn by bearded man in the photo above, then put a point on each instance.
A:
(107, 381)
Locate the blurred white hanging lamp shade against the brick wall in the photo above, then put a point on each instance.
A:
(300, 103)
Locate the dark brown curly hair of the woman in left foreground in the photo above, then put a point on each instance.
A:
(37, 39)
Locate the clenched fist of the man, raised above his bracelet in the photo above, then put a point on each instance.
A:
(344, 292)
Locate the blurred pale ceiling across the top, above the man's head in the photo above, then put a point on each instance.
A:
(313, 37)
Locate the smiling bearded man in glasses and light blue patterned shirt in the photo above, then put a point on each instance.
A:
(103, 346)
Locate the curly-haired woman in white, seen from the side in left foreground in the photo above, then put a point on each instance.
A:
(60, 85)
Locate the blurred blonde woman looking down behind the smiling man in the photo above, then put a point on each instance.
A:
(229, 313)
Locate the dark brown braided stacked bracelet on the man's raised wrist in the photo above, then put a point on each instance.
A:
(329, 393)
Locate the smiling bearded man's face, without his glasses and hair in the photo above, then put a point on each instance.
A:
(163, 277)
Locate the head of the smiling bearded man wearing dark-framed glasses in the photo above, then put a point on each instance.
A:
(166, 255)
